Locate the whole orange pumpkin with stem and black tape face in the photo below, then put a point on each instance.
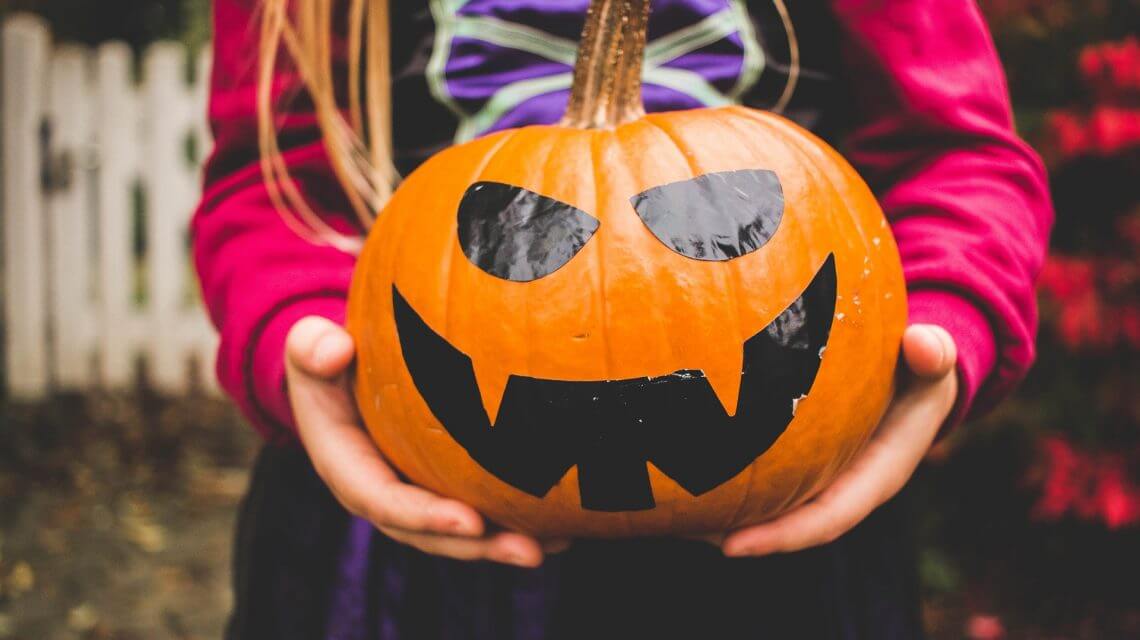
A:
(629, 325)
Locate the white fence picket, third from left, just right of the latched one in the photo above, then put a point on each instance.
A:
(117, 134)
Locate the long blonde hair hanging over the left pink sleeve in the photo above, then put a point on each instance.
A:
(360, 144)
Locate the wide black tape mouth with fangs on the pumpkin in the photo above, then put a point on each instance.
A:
(610, 430)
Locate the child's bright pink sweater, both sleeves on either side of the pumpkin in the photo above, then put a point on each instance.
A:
(933, 135)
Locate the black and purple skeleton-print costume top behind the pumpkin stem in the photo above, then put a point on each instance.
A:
(467, 68)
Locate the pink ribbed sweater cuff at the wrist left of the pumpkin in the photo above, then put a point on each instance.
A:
(266, 368)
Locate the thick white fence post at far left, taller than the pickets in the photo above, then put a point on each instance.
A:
(26, 59)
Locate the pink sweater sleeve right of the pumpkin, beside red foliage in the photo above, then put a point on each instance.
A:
(967, 199)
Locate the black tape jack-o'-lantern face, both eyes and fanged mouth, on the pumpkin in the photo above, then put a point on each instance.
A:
(610, 428)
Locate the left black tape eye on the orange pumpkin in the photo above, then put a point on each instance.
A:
(517, 234)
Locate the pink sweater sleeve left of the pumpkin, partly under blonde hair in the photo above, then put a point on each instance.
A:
(258, 277)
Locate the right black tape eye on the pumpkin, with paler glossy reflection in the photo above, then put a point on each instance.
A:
(716, 216)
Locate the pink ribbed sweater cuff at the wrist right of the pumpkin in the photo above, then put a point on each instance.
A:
(978, 350)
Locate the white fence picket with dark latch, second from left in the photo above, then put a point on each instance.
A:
(72, 218)
